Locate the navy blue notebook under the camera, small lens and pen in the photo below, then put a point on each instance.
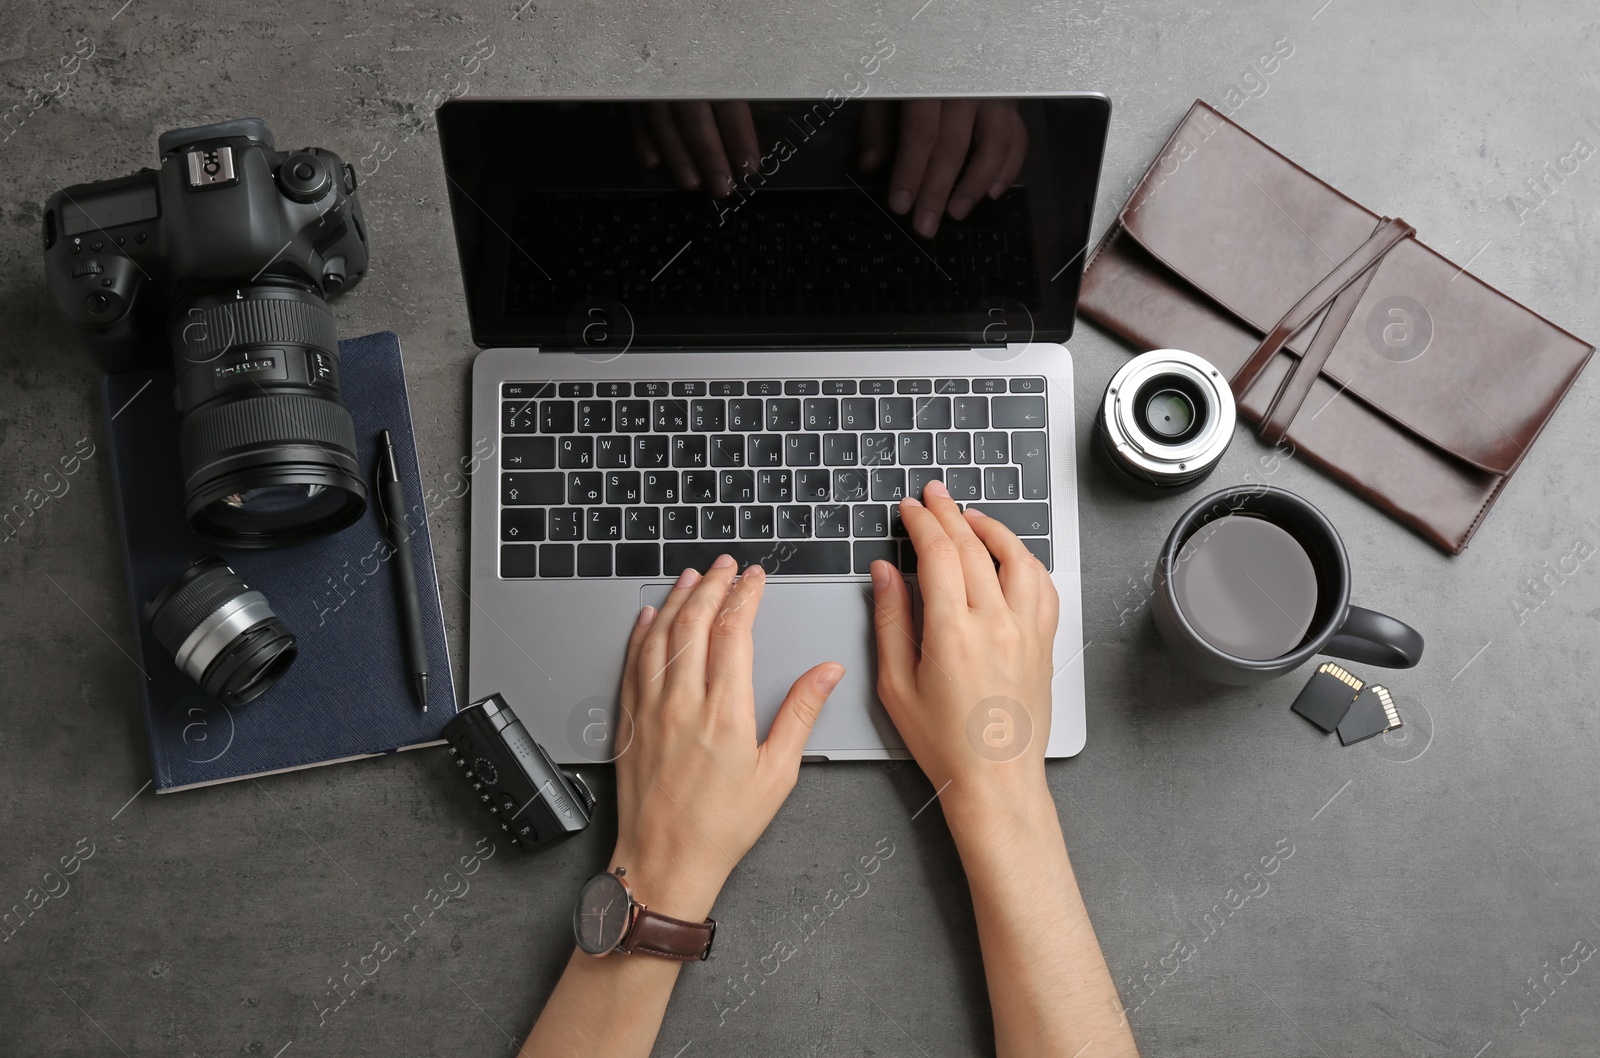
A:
(350, 691)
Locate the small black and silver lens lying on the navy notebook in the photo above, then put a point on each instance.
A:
(222, 635)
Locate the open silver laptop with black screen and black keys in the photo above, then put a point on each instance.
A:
(713, 326)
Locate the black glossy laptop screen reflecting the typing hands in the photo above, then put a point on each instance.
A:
(671, 225)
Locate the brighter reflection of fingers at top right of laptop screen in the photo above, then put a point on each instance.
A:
(951, 154)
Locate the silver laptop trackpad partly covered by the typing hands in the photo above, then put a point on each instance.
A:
(804, 625)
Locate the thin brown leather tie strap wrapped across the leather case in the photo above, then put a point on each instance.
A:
(1343, 287)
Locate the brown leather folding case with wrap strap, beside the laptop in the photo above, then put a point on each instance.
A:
(1318, 310)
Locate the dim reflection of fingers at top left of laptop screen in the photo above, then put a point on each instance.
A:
(702, 145)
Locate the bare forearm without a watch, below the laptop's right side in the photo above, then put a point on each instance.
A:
(1049, 985)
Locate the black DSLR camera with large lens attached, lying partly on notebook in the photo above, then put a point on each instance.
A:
(230, 252)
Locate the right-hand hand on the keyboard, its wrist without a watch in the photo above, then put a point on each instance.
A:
(972, 699)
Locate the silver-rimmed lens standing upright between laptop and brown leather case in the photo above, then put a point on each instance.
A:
(1166, 422)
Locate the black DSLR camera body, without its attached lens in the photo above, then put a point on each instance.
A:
(226, 209)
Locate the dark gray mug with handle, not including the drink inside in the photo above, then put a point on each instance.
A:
(1338, 628)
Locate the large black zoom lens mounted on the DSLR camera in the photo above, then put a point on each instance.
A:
(266, 441)
